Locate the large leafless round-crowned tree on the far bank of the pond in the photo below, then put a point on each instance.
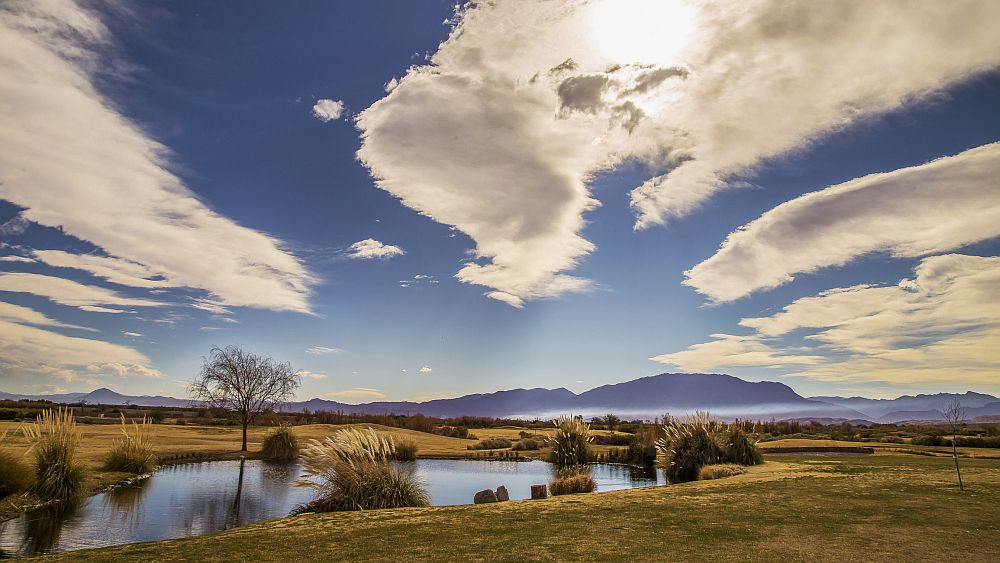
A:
(245, 383)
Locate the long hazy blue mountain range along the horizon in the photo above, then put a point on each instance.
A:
(645, 398)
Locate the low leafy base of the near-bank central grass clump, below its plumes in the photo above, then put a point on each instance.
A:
(368, 486)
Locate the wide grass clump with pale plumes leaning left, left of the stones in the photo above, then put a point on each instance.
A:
(353, 472)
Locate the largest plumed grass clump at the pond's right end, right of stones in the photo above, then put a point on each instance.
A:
(688, 445)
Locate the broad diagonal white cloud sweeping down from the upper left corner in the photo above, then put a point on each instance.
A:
(73, 162)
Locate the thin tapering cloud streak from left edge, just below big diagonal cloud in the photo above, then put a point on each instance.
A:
(70, 293)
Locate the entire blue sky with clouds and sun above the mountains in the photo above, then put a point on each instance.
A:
(416, 200)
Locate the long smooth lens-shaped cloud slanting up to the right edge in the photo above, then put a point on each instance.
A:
(917, 211)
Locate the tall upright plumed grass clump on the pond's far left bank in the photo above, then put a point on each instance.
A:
(55, 438)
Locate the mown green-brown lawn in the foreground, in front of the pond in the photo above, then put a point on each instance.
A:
(792, 508)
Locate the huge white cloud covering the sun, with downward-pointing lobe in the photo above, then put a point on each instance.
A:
(524, 103)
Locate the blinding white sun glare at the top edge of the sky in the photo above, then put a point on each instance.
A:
(640, 31)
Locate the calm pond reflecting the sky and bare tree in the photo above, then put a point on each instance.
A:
(200, 498)
